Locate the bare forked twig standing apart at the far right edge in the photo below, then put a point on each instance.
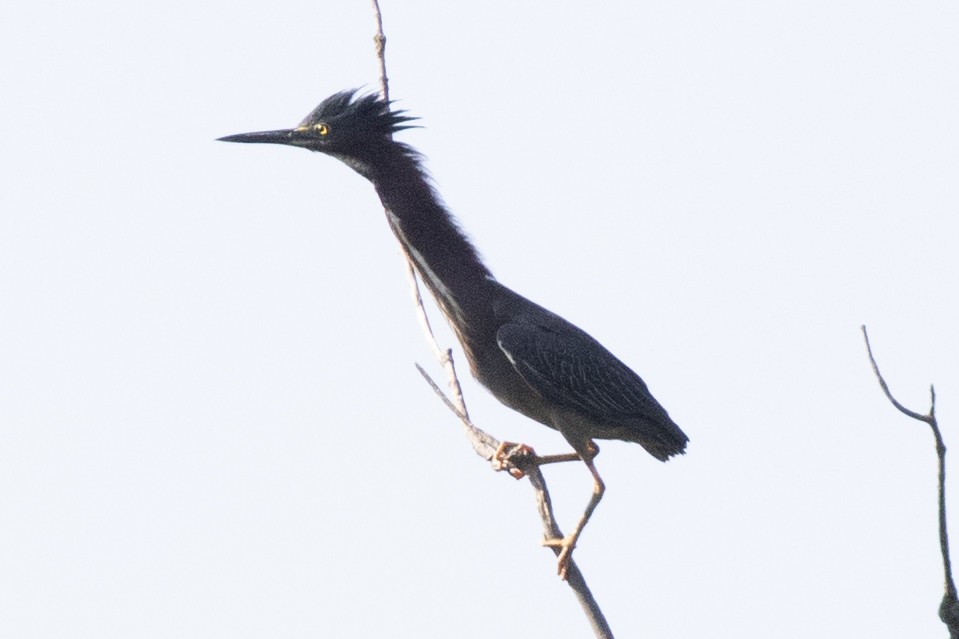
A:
(949, 608)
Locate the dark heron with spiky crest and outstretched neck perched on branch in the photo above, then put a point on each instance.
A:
(531, 359)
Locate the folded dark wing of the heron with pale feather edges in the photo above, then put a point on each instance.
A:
(571, 369)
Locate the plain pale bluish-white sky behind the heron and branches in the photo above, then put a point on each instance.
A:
(210, 421)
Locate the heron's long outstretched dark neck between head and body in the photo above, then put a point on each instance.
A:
(444, 257)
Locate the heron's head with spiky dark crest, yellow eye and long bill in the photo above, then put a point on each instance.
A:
(345, 125)
